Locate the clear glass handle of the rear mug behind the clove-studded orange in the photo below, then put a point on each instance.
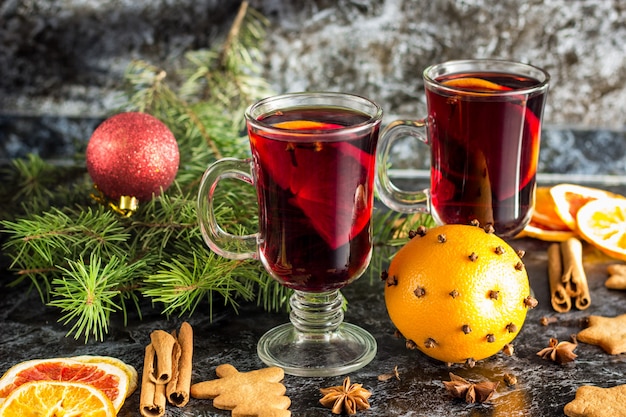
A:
(393, 197)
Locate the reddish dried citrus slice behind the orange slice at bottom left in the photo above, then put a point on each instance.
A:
(109, 379)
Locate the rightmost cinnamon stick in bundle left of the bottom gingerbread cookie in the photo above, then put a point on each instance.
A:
(177, 389)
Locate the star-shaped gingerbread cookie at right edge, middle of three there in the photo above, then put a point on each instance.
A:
(607, 332)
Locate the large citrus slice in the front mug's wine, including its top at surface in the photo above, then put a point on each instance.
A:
(325, 178)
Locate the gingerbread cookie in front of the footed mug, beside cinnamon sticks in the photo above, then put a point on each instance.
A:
(256, 393)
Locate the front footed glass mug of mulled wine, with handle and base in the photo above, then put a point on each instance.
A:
(313, 158)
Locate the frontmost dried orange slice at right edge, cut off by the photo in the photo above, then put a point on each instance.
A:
(603, 224)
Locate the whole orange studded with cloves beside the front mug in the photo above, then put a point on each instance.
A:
(458, 293)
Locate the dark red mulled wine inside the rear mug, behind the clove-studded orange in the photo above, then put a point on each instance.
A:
(477, 141)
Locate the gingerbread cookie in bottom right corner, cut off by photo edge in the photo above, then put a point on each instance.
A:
(597, 402)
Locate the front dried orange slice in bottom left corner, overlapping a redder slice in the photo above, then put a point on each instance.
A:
(55, 398)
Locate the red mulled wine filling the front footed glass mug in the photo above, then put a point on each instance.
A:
(314, 174)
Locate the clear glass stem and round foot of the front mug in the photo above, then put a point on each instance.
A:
(306, 347)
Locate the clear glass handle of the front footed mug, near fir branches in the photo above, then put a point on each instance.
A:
(221, 242)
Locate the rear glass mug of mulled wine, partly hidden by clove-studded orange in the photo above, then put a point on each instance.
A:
(483, 129)
